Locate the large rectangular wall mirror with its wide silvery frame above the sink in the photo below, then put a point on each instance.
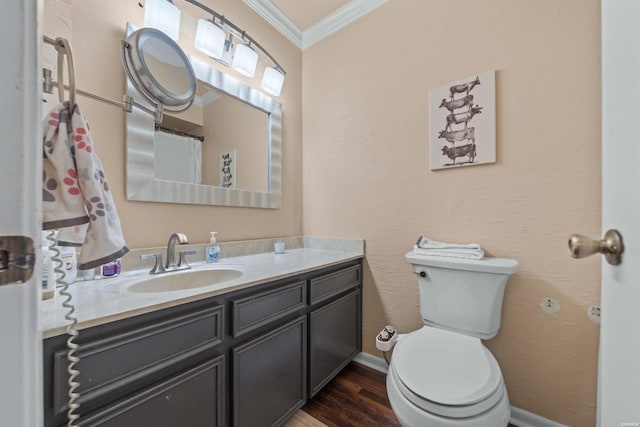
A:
(224, 150)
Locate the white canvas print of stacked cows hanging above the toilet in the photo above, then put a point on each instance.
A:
(462, 122)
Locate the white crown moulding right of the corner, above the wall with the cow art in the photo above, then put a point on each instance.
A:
(338, 20)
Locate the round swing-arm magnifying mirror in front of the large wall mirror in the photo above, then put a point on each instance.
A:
(159, 69)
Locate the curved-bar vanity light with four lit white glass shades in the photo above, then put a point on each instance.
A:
(214, 37)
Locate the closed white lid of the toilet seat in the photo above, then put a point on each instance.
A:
(446, 367)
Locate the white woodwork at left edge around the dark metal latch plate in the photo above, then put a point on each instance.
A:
(20, 212)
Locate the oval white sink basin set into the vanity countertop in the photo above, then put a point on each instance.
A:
(187, 279)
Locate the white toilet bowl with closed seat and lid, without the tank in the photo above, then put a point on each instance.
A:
(441, 378)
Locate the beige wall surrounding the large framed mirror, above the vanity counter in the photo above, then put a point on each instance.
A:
(95, 29)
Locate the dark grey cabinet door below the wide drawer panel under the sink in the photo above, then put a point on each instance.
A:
(194, 398)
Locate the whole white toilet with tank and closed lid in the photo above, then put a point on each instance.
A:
(442, 375)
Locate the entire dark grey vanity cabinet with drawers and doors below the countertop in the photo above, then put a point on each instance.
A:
(251, 357)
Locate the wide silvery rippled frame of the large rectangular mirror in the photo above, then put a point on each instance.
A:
(143, 186)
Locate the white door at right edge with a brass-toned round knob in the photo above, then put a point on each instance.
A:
(619, 360)
